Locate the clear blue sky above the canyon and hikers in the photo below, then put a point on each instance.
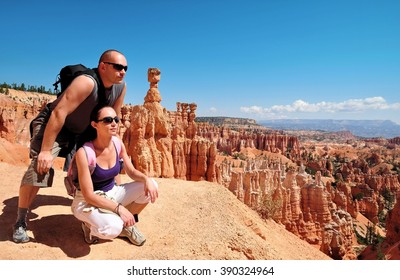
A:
(238, 58)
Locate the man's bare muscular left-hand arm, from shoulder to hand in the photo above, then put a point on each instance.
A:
(75, 94)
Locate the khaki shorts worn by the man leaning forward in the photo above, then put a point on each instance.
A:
(31, 177)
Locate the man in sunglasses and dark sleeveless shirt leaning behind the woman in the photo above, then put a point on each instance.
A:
(59, 124)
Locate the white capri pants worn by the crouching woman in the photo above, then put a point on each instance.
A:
(107, 225)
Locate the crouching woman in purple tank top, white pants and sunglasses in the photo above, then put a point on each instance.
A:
(105, 208)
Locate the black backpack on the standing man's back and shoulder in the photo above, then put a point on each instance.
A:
(70, 72)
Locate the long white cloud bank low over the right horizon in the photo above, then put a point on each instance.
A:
(301, 106)
